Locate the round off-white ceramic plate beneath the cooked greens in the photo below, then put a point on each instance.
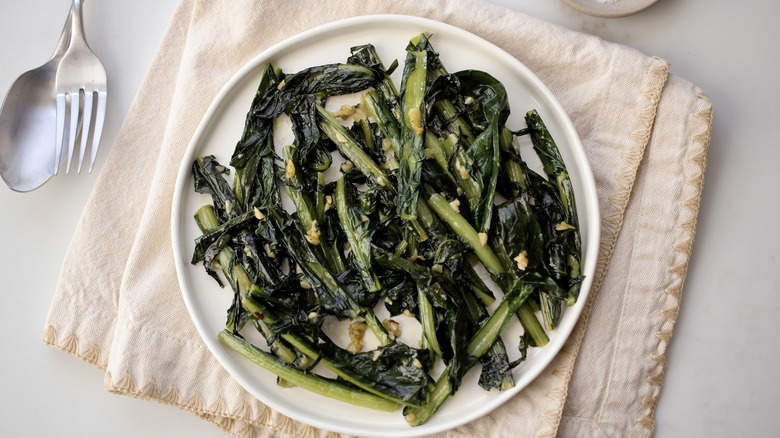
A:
(221, 128)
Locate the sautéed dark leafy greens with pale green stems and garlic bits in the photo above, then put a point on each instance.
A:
(413, 211)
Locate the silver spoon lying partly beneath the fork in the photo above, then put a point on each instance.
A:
(28, 124)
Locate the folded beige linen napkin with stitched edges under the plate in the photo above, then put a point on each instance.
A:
(645, 132)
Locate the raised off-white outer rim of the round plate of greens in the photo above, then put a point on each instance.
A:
(574, 145)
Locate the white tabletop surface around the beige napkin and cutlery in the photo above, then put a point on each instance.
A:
(722, 378)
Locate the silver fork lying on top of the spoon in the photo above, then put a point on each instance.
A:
(81, 85)
